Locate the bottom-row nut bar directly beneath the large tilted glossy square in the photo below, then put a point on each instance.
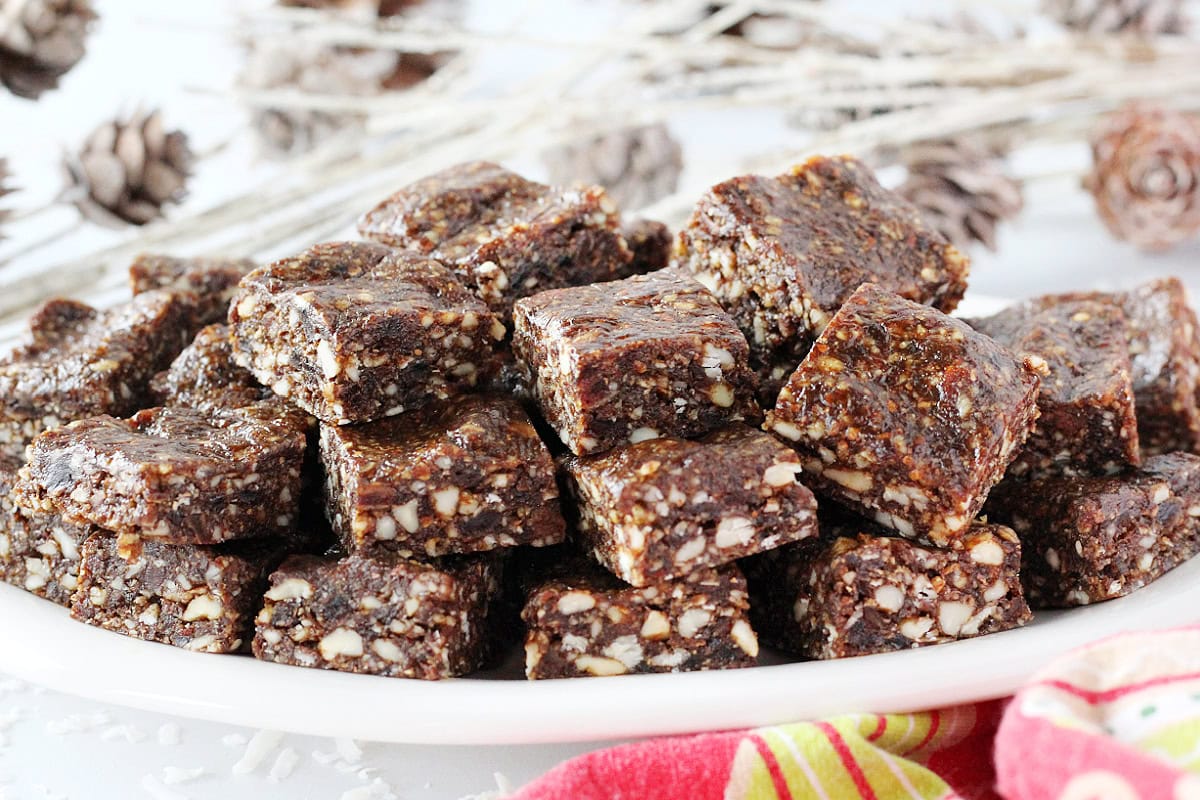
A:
(859, 591)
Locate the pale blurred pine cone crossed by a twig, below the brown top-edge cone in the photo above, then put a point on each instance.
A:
(327, 71)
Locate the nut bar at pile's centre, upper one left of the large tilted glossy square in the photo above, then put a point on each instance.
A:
(653, 356)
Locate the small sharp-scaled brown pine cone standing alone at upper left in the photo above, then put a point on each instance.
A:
(128, 171)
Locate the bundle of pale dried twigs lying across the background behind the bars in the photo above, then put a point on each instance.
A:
(920, 80)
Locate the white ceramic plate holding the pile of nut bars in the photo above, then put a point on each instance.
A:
(40, 643)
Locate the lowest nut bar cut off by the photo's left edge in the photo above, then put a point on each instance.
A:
(39, 550)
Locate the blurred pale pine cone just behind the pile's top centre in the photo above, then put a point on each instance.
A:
(638, 165)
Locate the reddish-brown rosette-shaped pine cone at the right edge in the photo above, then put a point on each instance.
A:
(1147, 177)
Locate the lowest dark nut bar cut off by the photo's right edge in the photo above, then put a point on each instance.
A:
(1093, 539)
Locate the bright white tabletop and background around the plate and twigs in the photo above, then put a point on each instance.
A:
(183, 58)
